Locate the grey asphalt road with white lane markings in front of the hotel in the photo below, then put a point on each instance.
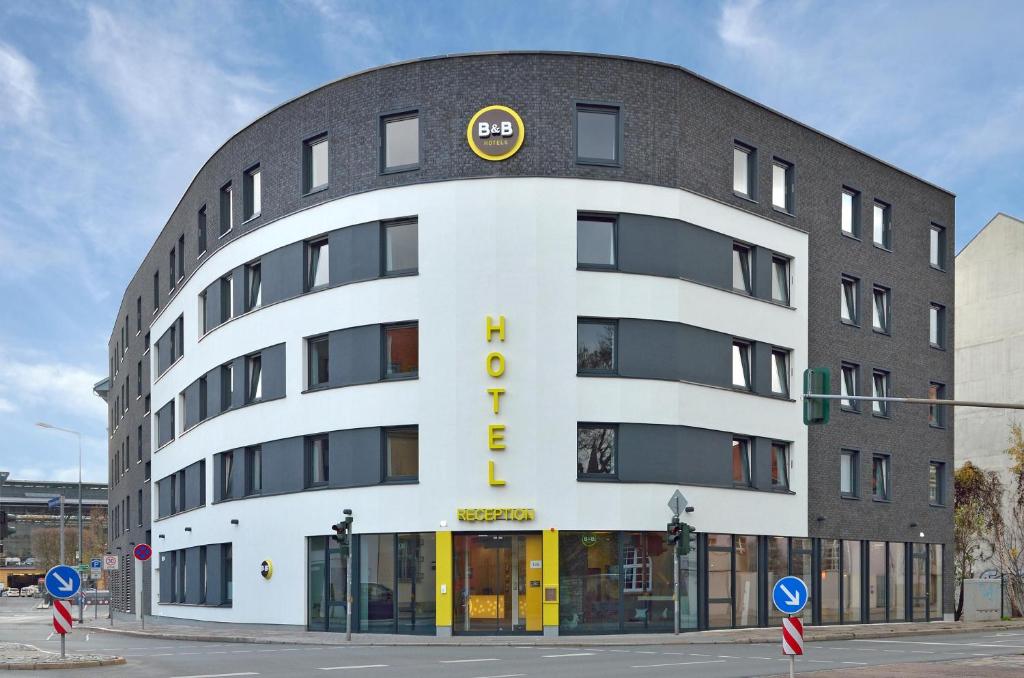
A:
(167, 659)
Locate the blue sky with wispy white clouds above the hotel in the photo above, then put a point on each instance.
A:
(108, 111)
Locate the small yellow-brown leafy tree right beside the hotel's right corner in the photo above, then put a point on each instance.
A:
(977, 522)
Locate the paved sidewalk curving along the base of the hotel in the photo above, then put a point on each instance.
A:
(246, 633)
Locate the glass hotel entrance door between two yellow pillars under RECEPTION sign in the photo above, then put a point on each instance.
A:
(498, 583)
